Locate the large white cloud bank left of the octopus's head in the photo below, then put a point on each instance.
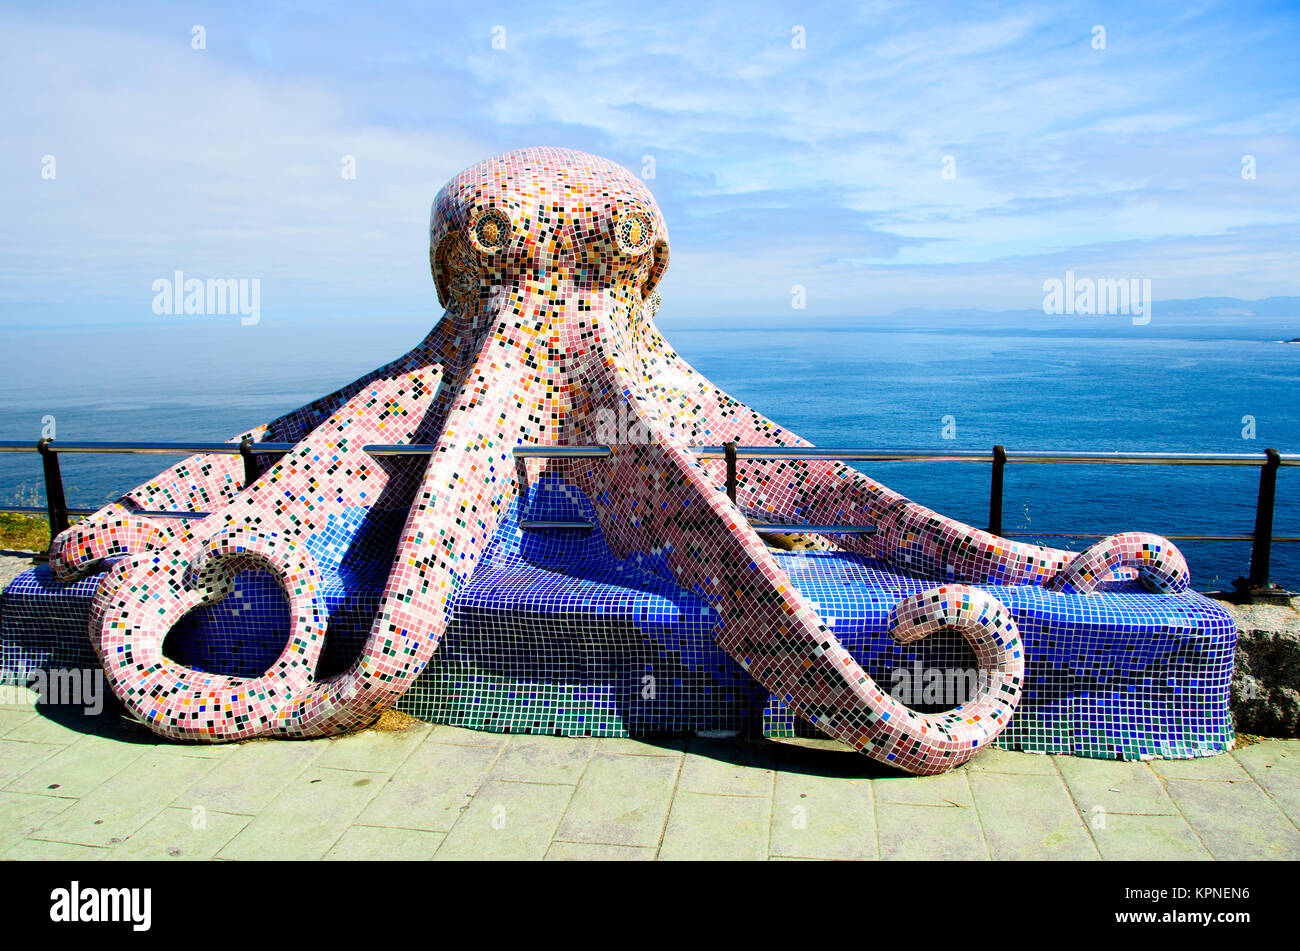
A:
(171, 158)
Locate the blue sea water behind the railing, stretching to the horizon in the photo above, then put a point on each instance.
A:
(1028, 383)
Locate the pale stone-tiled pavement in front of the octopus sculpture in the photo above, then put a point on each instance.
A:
(105, 789)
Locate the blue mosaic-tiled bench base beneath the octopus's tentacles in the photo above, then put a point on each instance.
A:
(554, 635)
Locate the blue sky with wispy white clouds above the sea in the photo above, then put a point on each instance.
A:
(881, 157)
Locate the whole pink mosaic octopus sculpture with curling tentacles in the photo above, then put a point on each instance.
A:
(547, 263)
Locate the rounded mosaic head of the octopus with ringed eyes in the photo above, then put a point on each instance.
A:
(545, 218)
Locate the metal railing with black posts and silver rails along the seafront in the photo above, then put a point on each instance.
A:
(1262, 540)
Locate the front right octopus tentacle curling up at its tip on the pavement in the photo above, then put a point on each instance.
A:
(660, 506)
